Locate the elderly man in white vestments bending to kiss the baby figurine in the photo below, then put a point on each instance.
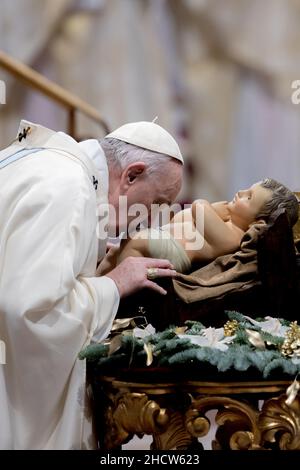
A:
(51, 301)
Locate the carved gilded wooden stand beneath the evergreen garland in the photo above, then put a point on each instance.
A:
(175, 414)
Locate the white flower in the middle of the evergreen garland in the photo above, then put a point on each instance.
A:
(211, 338)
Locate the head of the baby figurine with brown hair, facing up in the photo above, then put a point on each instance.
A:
(260, 201)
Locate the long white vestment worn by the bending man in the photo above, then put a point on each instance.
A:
(51, 303)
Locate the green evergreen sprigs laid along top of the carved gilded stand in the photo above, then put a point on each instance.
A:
(169, 350)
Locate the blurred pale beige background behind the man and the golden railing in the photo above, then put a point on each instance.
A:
(217, 73)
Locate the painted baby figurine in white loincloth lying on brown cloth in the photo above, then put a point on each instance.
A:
(205, 231)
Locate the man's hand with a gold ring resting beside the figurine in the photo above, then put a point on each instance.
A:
(131, 274)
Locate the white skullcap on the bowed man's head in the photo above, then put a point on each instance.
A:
(148, 135)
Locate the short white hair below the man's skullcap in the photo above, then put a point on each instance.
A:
(120, 155)
